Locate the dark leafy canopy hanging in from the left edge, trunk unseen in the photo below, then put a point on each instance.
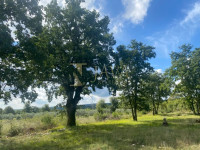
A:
(18, 21)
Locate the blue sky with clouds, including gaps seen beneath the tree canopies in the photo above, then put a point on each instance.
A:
(164, 24)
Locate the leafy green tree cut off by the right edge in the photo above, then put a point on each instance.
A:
(185, 71)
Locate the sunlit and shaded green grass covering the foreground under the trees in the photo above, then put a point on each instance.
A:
(148, 133)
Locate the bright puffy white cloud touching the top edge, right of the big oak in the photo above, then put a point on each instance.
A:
(136, 10)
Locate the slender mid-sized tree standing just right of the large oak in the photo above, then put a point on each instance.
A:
(135, 68)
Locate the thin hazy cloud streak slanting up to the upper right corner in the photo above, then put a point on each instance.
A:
(180, 32)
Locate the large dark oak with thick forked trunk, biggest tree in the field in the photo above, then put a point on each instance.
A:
(71, 53)
